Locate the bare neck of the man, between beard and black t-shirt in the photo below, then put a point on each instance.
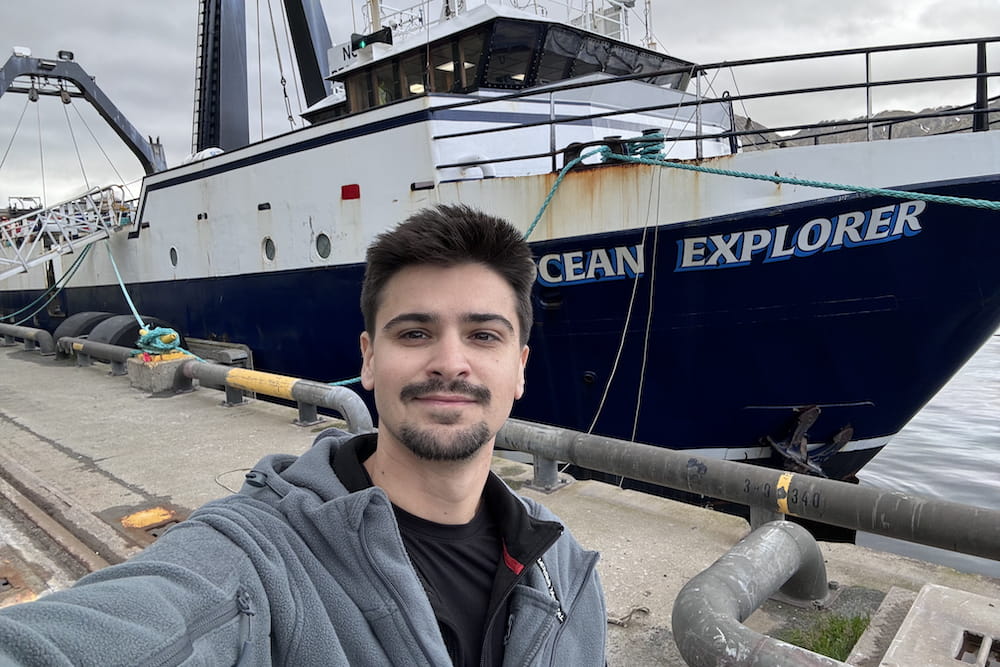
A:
(446, 492)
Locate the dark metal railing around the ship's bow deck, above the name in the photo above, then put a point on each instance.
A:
(865, 88)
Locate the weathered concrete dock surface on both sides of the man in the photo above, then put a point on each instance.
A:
(100, 451)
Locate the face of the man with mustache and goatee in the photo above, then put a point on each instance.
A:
(446, 362)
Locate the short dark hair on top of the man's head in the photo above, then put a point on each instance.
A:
(448, 235)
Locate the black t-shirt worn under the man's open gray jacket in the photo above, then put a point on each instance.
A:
(457, 564)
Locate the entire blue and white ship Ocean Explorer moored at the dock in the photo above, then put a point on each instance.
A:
(794, 306)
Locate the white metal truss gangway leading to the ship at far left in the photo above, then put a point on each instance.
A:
(39, 236)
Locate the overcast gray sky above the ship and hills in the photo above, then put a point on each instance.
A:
(142, 55)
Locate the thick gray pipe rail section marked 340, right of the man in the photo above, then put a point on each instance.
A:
(940, 523)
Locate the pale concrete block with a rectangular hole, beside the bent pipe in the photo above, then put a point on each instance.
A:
(947, 627)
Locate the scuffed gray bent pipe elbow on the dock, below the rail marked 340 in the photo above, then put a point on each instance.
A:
(708, 613)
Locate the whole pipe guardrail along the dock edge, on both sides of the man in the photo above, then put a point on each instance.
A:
(933, 522)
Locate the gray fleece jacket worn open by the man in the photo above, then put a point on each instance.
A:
(294, 570)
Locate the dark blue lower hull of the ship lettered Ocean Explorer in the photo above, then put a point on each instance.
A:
(717, 354)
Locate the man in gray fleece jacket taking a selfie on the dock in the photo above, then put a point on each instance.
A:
(397, 548)
